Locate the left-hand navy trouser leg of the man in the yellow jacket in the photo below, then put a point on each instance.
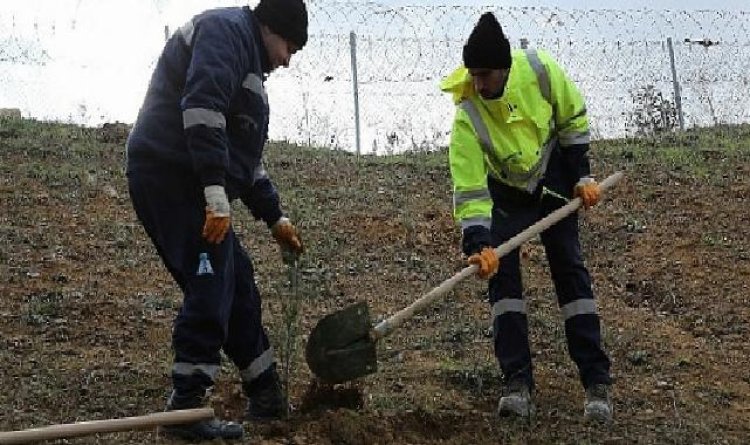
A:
(510, 322)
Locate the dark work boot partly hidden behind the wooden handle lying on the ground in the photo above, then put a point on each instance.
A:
(202, 430)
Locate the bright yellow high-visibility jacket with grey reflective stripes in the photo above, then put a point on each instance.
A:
(510, 138)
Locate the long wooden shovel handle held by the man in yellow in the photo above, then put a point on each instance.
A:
(387, 326)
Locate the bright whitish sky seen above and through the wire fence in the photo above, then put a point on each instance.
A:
(69, 53)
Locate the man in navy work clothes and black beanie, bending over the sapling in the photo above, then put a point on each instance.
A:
(197, 145)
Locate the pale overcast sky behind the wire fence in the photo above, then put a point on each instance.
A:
(83, 62)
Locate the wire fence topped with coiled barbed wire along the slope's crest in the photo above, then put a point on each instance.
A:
(640, 70)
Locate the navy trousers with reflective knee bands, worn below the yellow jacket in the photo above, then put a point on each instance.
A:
(571, 279)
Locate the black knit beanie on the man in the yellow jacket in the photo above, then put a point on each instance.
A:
(487, 46)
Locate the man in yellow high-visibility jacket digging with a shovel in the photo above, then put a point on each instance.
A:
(518, 151)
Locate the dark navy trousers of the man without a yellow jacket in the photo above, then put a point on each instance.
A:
(221, 306)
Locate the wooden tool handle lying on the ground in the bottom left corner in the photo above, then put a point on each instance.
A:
(106, 426)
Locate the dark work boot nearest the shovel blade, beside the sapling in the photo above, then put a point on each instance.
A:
(265, 398)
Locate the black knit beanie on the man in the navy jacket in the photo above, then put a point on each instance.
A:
(287, 18)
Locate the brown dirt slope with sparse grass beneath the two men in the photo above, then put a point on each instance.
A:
(86, 307)
